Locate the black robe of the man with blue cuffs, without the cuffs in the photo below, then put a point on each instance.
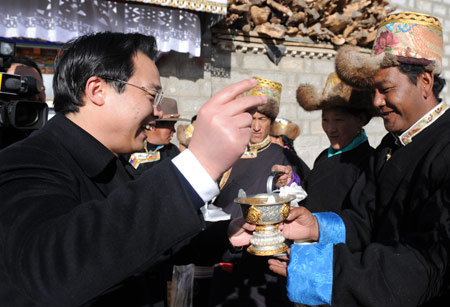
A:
(397, 251)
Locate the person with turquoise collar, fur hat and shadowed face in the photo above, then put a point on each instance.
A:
(345, 111)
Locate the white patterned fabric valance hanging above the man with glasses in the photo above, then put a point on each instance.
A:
(61, 20)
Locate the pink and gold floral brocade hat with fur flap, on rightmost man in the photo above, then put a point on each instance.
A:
(409, 38)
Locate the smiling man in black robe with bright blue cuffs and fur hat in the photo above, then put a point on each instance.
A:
(392, 248)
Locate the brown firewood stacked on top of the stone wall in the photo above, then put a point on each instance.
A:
(332, 21)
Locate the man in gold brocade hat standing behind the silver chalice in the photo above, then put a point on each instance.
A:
(250, 279)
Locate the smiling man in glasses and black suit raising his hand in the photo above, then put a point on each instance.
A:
(78, 226)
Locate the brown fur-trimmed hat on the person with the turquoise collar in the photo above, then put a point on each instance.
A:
(335, 94)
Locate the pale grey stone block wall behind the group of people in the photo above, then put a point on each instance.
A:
(193, 80)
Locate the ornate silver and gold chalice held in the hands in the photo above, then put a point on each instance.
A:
(266, 211)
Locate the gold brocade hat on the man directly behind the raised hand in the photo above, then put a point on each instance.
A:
(272, 90)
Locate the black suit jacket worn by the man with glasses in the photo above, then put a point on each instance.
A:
(76, 229)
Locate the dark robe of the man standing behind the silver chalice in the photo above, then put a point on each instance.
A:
(251, 283)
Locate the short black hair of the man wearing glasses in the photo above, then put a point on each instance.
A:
(108, 55)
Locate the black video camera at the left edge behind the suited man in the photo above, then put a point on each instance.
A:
(15, 110)
